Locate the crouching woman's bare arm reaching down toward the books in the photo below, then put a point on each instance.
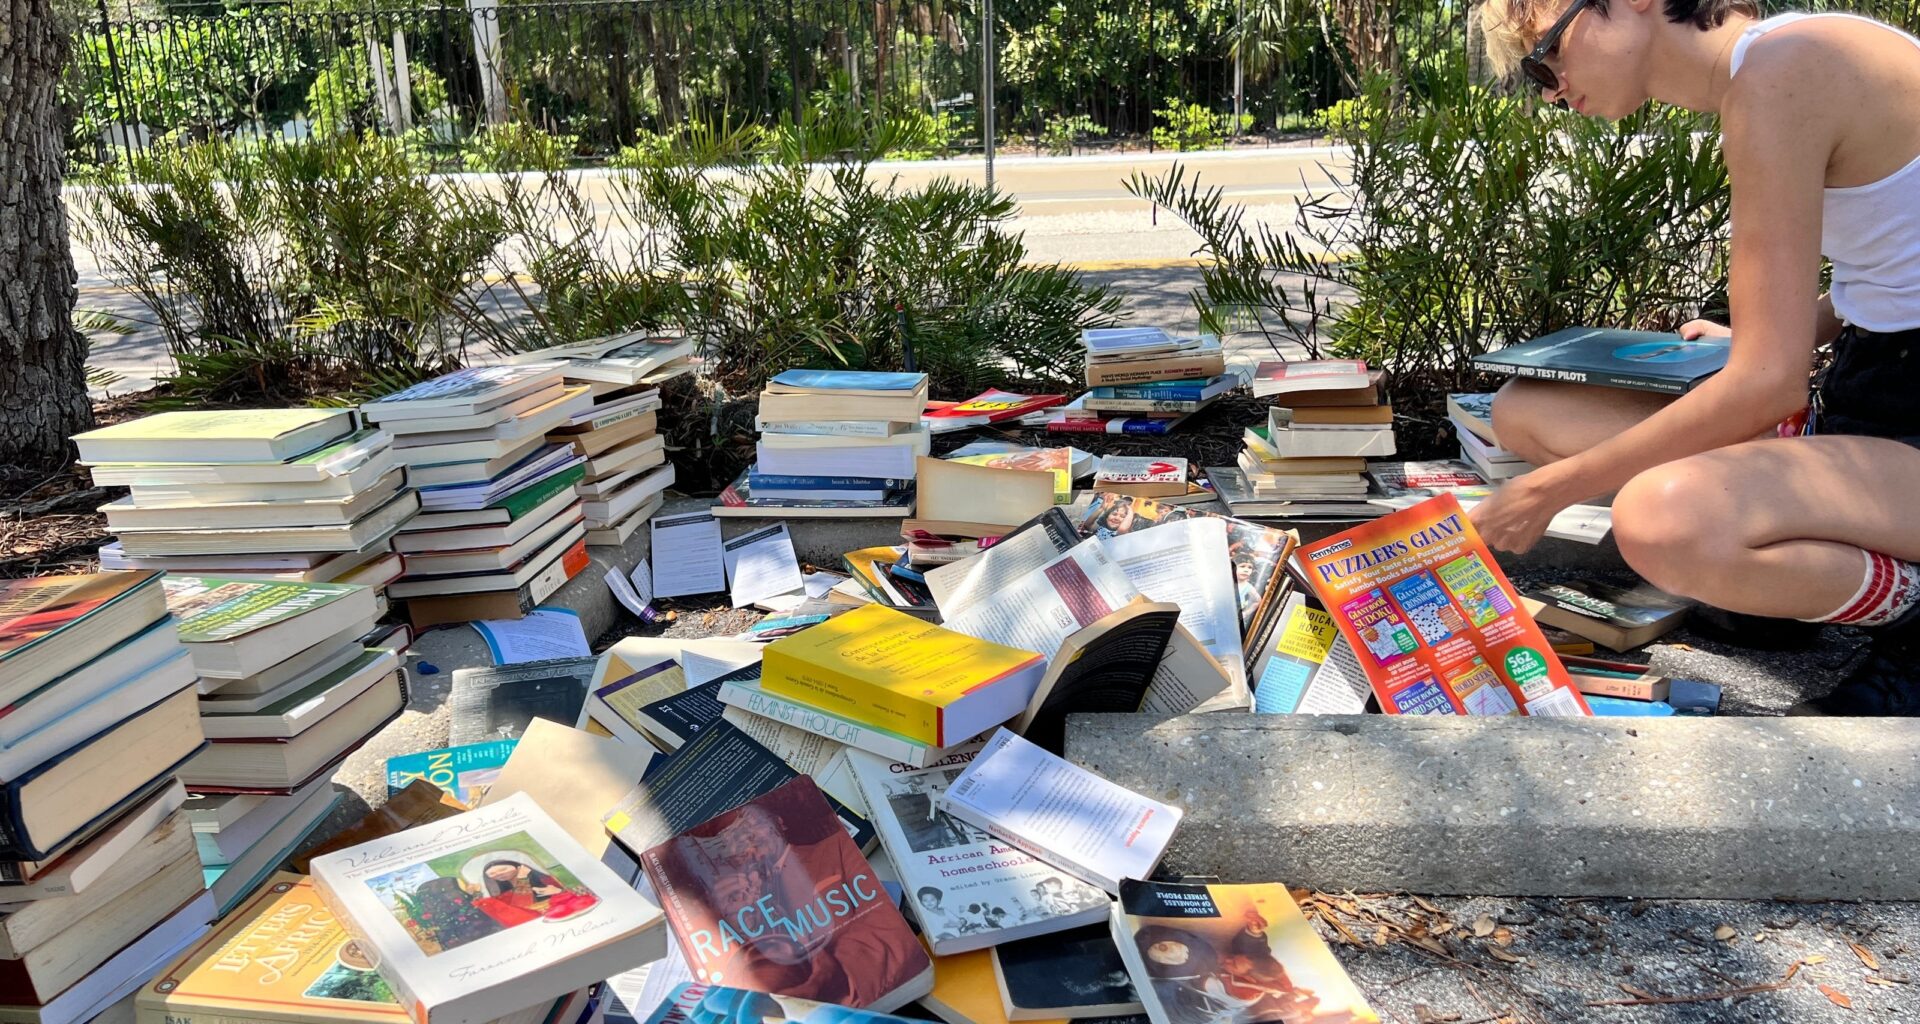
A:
(1777, 149)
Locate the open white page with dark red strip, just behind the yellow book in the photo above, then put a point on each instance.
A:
(1040, 610)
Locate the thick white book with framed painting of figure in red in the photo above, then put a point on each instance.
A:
(489, 914)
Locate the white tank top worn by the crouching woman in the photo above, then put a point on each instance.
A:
(1869, 232)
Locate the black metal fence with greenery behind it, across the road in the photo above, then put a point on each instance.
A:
(598, 76)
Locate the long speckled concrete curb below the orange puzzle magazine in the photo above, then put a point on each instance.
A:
(1646, 808)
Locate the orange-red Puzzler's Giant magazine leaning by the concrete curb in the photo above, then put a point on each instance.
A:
(1435, 622)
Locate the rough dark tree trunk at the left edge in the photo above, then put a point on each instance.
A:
(43, 358)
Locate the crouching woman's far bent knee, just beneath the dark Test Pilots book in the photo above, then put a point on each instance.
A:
(1547, 422)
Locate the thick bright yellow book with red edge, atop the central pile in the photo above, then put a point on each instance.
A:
(888, 670)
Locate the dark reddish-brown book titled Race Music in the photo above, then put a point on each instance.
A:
(775, 896)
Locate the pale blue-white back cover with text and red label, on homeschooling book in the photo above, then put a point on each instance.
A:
(1063, 814)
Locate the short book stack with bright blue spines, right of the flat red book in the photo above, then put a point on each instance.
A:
(1145, 381)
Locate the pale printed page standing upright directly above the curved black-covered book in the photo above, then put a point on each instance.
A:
(1188, 564)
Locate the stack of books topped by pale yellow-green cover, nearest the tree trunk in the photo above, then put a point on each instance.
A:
(289, 495)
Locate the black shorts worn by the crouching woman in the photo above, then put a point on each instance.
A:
(1873, 387)
